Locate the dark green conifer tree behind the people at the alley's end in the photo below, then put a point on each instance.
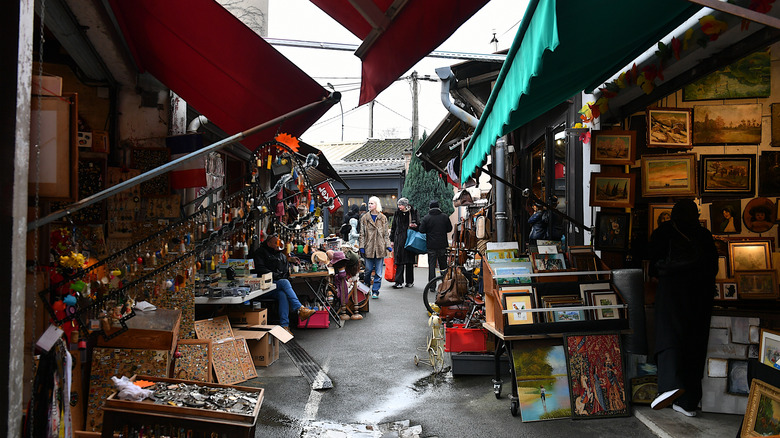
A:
(421, 187)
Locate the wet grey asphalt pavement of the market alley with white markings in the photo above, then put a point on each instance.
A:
(378, 391)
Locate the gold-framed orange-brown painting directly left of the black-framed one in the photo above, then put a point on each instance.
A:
(669, 175)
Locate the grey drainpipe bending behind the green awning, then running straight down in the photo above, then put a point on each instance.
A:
(445, 74)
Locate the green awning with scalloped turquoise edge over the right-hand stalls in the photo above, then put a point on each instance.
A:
(561, 49)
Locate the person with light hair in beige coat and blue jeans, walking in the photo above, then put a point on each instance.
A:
(374, 243)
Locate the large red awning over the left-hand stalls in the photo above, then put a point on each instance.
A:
(218, 65)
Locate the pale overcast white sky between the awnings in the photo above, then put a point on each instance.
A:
(302, 20)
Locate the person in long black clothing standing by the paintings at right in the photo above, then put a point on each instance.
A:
(684, 260)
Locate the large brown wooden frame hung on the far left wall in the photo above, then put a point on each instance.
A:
(54, 127)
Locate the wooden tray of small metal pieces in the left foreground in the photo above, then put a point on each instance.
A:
(151, 408)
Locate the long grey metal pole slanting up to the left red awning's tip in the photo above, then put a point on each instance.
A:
(97, 197)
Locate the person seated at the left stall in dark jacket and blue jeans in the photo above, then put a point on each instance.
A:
(269, 257)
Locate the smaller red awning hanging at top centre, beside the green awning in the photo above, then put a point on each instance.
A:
(396, 34)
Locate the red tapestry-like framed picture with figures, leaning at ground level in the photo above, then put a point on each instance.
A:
(596, 375)
